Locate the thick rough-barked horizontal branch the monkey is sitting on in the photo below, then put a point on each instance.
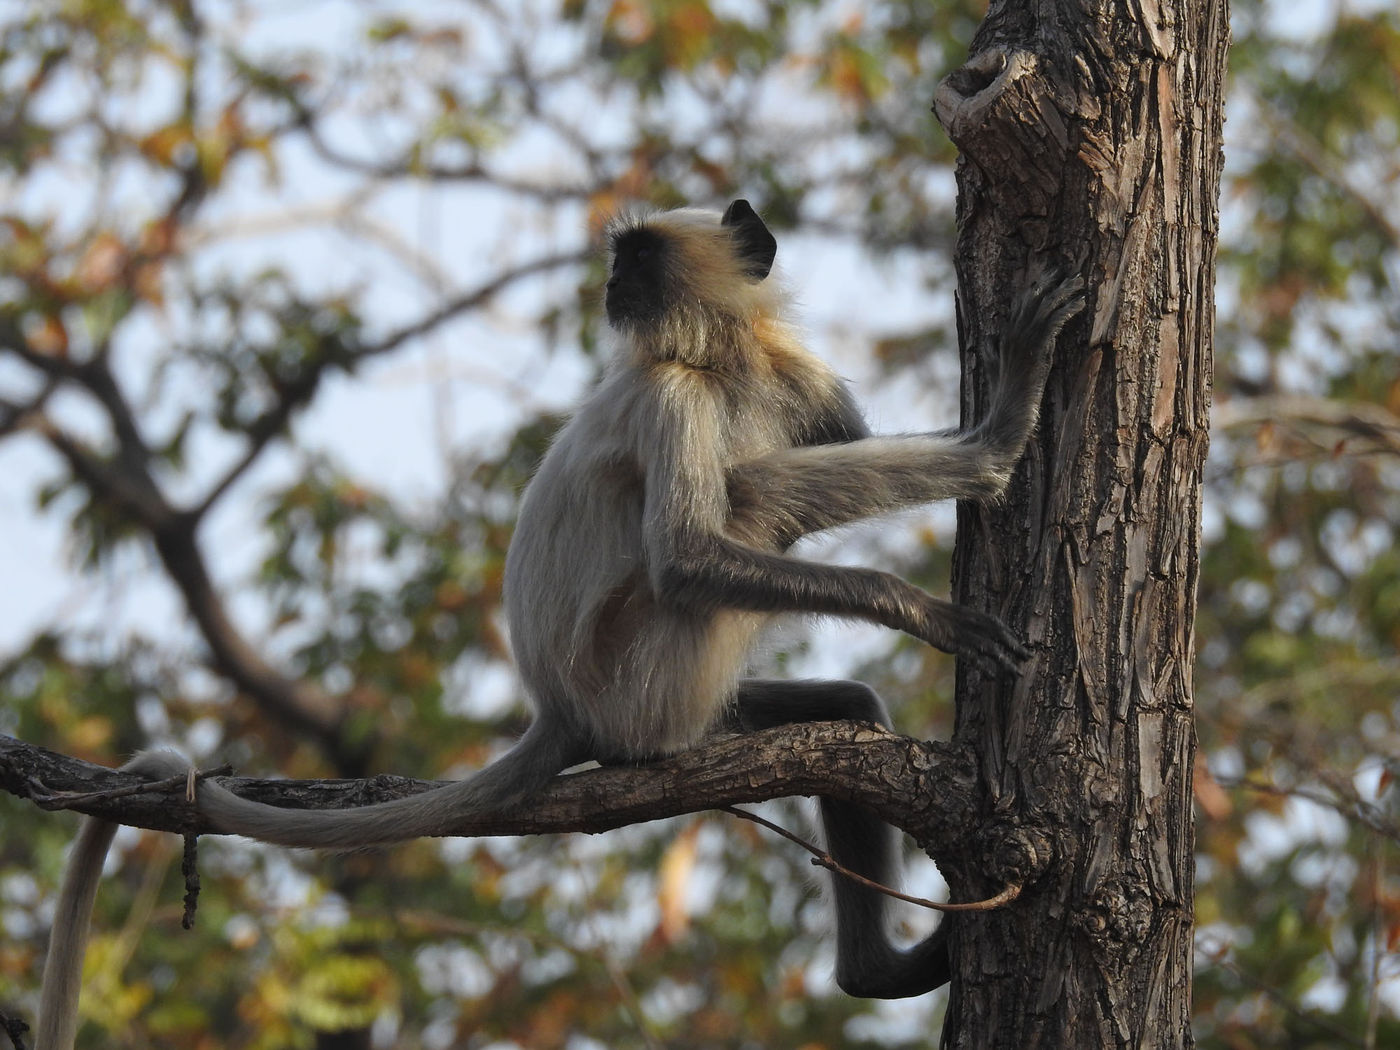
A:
(920, 786)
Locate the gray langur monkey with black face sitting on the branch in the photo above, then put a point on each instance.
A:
(652, 551)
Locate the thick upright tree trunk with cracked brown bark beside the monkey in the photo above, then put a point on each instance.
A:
(1091, 141)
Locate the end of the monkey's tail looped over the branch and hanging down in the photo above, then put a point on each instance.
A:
(64, 968)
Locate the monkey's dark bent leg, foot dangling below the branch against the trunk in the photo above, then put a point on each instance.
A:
(867, 962)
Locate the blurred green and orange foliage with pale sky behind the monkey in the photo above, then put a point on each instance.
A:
(292, 296)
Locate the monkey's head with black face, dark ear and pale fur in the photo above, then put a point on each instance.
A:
(687, 268)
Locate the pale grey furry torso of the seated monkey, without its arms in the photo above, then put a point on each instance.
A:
(594, 640)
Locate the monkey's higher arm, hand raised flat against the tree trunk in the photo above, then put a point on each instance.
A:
(787, 495)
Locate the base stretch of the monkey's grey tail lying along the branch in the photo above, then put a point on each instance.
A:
(542, 752)
